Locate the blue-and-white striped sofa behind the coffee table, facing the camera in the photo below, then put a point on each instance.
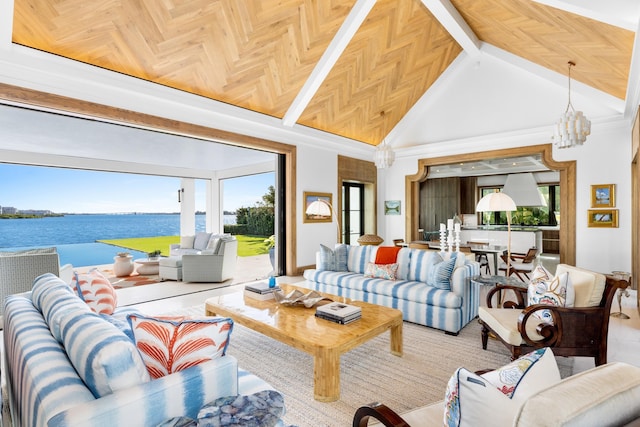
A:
(448, 309)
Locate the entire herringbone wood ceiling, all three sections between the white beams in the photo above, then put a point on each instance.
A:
(258, 54)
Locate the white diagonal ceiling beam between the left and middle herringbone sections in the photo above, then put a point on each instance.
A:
(339, 43)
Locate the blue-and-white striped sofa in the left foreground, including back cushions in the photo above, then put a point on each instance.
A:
(46, 390)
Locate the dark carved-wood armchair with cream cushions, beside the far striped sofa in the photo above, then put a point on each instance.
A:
(576, 331)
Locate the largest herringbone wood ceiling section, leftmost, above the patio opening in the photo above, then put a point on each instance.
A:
(254, 54)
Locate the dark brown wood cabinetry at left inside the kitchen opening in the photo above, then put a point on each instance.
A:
(441, 198)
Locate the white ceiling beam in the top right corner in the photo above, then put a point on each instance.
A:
(598, 11)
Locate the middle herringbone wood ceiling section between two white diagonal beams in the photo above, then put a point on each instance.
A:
(397, 54)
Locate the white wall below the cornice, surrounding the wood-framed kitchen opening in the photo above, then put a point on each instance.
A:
(605, 158)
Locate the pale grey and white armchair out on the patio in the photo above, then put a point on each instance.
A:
(211, 267)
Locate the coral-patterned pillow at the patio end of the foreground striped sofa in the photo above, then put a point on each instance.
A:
(96, 290)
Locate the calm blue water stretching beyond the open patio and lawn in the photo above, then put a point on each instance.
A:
(75, 235)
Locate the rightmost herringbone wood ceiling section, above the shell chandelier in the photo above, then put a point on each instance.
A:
(551, 37)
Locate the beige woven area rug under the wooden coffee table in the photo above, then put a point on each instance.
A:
(369, 373)
